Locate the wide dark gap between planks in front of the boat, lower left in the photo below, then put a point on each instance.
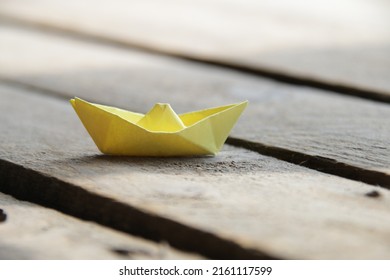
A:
(26, 184)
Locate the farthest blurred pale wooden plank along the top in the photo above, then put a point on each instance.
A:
(344, 45)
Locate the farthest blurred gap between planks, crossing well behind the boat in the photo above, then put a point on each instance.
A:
(272, 74)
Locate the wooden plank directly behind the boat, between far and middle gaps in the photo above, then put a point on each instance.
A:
(348, 130)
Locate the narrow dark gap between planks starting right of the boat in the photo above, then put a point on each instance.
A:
(322, 164)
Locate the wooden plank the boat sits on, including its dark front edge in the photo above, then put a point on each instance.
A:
(238, 204)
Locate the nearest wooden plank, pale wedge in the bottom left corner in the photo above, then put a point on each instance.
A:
(34, 232)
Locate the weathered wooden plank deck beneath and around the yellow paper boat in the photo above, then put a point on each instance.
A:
(305, 173)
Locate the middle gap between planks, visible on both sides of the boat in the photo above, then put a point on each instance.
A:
(318, 163)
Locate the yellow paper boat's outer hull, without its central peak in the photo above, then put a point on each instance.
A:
(116, 135)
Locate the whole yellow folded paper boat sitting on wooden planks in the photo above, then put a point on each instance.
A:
(161, 132)
